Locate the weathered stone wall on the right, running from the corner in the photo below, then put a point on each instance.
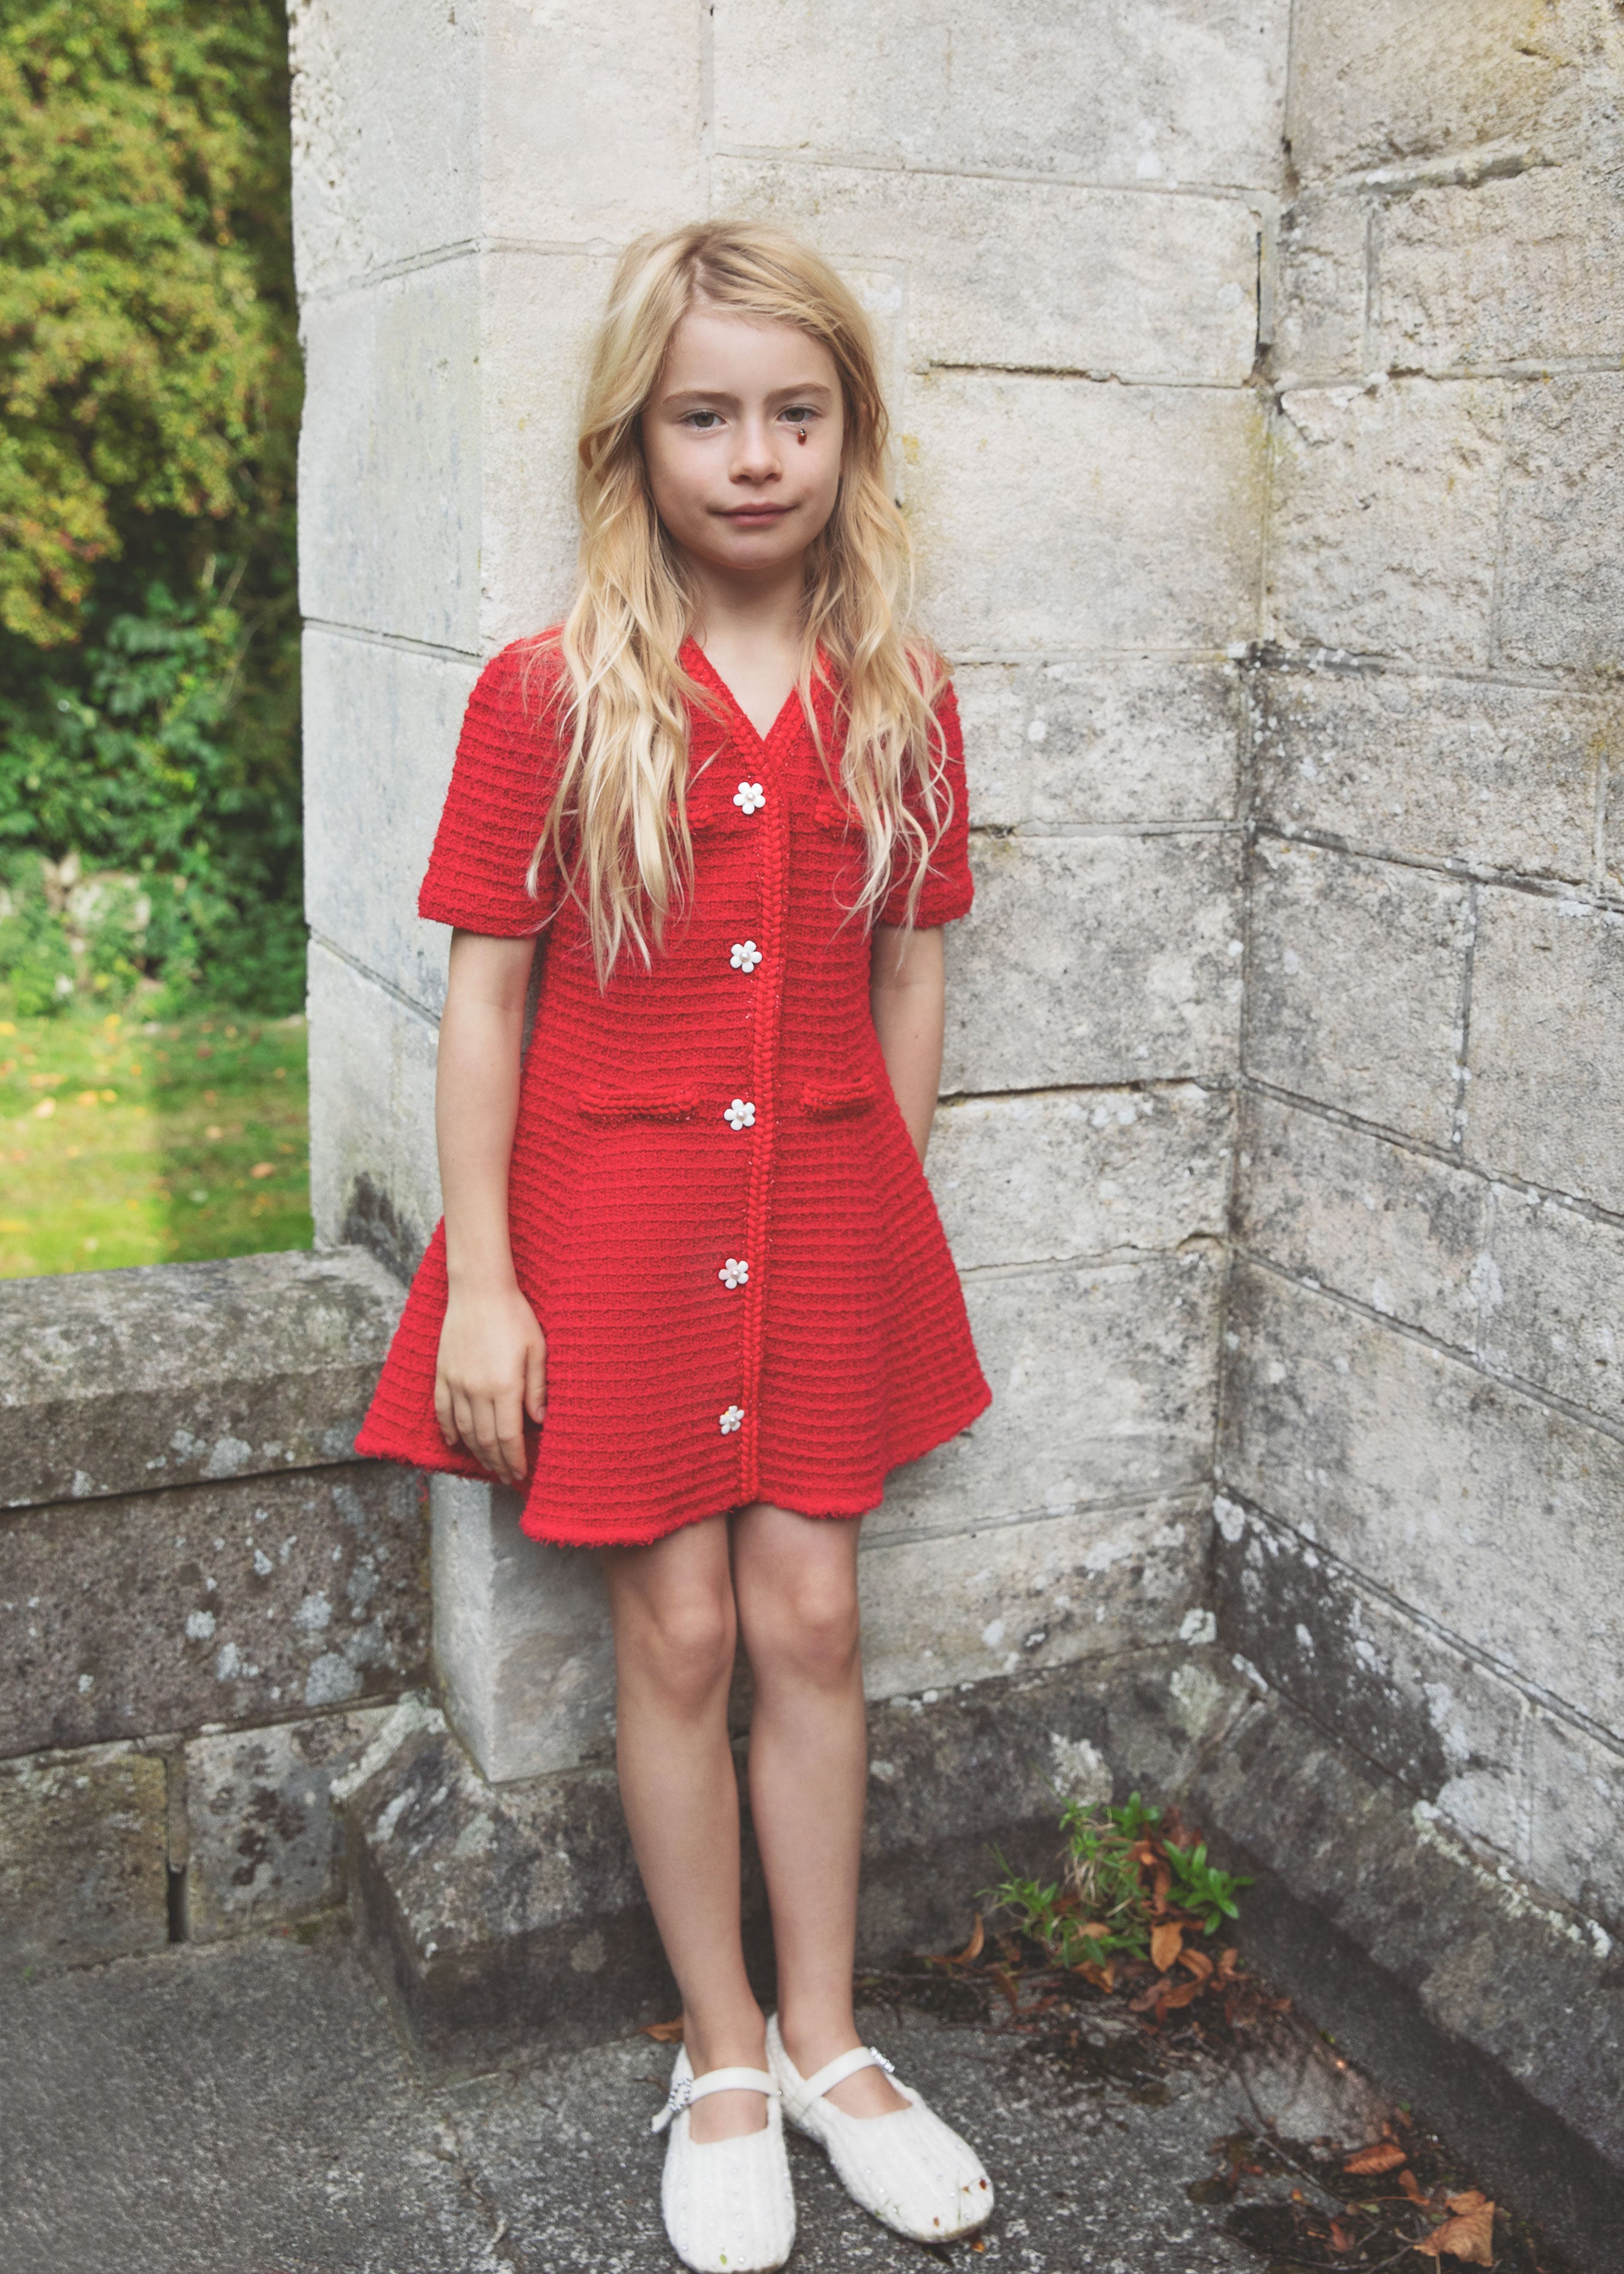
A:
(1423, 1450)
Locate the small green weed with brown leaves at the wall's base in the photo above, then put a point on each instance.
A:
(1125, 1873)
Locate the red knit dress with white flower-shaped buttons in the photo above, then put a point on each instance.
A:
(715, 1209)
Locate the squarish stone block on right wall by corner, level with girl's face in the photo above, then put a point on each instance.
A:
(1386, 520)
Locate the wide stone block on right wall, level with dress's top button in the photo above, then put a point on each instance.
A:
(1436, 770)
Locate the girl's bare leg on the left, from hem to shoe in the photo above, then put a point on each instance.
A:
(674, 1636)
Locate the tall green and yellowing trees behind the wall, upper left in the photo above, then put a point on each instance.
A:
(149, 376)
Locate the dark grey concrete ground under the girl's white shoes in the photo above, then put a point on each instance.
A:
(249, 2109)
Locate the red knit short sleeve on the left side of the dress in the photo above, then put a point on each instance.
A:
(499, 797)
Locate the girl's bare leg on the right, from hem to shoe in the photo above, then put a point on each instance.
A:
(797, 1593)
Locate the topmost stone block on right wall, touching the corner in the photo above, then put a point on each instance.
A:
(1411, 78)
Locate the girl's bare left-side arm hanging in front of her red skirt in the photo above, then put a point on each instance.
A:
(492, 1359)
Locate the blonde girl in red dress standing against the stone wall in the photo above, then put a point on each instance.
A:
(690, 1290)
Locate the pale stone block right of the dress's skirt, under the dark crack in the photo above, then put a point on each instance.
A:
(1054, 1177)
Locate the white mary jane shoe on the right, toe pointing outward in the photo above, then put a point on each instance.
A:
(906, 2168)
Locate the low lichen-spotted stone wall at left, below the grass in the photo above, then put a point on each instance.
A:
(206, 1604)
